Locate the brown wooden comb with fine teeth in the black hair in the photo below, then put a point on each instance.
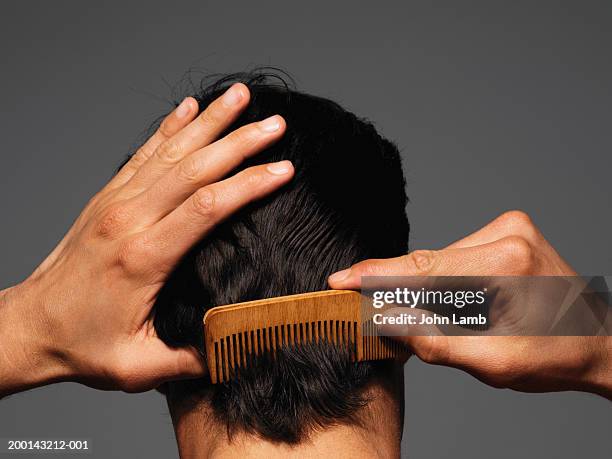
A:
(236, 334)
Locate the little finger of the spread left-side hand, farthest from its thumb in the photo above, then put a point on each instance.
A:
(173, 123)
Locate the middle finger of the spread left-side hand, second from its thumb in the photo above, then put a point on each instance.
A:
(207, 166)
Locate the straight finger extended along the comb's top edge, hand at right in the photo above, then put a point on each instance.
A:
(505, 257)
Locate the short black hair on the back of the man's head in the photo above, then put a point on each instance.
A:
(345, 203)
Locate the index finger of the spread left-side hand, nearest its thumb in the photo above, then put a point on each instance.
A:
(176, 233)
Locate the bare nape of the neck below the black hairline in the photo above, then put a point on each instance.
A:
(378, 435)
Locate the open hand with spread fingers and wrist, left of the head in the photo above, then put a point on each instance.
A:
(84, 313)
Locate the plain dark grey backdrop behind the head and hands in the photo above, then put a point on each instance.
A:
(496, 105)
